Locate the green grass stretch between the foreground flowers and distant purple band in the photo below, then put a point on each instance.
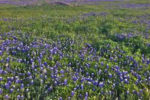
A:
(49, 21)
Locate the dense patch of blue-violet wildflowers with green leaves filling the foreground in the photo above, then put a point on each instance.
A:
(32, 68)
